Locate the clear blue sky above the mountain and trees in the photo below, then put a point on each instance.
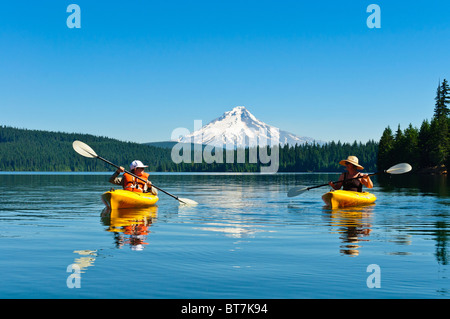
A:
(136, 70)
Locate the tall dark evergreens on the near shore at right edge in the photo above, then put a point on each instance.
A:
(424, 147)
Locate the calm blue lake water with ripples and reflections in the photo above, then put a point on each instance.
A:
(245, 239)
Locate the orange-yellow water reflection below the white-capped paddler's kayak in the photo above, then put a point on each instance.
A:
(129, 226)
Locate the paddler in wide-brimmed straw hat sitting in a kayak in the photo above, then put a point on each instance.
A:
(352, 165)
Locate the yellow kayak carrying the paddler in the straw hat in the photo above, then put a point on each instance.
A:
(341, 198)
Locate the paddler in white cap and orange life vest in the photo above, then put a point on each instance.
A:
(131, 183)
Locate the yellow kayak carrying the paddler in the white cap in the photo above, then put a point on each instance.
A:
(119, 198)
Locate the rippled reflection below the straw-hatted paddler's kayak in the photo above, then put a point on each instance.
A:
(353, 225)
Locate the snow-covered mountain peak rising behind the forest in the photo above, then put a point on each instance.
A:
(240, 128)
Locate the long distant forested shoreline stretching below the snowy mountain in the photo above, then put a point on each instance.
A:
(34, 150)
